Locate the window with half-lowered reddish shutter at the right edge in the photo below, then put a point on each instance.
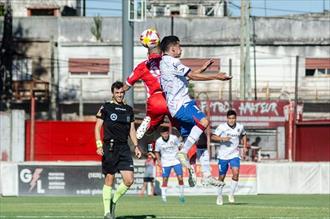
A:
(317, 67)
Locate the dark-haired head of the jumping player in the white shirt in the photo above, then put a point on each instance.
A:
(171, 45)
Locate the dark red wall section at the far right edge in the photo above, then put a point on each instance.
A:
(313, 141)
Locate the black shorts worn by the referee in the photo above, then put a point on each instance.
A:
(118, 159)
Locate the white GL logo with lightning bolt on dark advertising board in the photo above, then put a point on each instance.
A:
(26, 176)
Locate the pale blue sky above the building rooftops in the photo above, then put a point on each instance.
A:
(259, 7)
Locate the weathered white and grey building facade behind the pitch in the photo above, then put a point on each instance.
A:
(80, 68)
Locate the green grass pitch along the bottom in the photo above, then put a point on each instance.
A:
(246, 207)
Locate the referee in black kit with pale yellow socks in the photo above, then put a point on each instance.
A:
(117, 119)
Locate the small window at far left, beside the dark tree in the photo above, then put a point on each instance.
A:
(22, 69)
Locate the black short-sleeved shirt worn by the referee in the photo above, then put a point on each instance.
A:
(116, 121)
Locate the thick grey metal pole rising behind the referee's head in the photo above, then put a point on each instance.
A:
(128, 47)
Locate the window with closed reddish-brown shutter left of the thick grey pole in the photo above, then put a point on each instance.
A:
(86, 66)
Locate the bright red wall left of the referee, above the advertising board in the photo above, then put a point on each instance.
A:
(62, 141)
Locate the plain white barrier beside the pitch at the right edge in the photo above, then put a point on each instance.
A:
(293, 178)
